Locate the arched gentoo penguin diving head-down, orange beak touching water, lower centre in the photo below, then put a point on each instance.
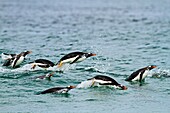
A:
(106, 81)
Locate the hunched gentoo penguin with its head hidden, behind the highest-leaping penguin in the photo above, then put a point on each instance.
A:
(43, 63)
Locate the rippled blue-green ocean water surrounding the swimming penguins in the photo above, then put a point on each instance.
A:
(126, 35)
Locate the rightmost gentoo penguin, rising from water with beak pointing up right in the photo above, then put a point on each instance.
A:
(140, 74)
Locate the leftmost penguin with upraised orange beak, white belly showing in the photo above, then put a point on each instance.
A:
(16, 60)
